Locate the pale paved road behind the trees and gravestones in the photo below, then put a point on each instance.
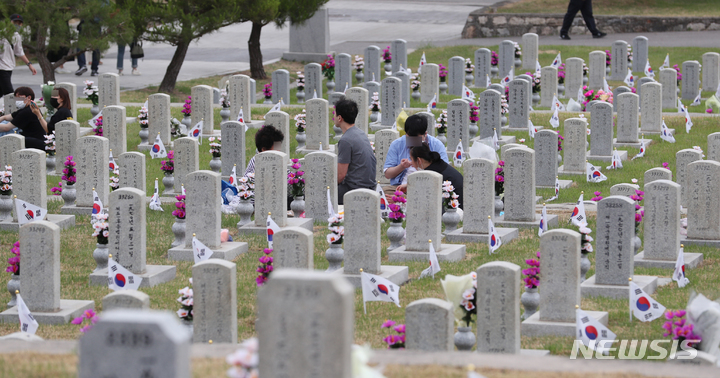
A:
(353, 26)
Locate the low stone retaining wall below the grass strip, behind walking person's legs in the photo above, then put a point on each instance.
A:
(481, 25)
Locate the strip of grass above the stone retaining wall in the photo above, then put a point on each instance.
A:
(668, 8)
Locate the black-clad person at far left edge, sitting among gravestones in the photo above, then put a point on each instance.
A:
(24, 119)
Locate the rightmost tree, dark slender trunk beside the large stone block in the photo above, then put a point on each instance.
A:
(279, 12)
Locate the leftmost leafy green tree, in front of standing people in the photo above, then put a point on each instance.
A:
(47, 28)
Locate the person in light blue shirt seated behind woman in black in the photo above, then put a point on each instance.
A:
(398, 164)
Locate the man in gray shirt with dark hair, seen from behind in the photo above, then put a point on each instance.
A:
(356, 159)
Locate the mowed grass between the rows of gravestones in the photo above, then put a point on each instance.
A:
(78, 244)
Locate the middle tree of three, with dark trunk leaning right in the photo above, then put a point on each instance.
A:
(179, 22)
